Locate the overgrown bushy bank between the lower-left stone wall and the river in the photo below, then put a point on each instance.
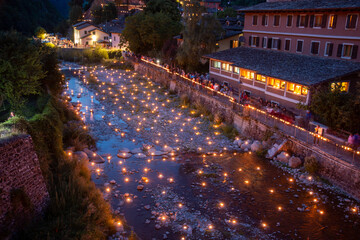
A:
(77, 209)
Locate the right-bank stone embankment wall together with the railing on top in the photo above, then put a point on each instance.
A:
(253, 123)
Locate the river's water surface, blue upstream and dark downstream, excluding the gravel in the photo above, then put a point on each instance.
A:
(265, 201)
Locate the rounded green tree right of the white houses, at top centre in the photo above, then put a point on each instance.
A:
(146, 32)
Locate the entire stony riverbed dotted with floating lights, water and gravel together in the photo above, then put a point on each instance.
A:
(183, 179)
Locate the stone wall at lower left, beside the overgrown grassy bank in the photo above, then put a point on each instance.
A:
(23, 192)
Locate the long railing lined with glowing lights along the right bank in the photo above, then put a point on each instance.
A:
(324, 144)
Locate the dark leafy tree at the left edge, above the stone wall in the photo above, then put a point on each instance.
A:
(20, 69)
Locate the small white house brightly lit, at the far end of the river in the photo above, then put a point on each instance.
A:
(89, 35)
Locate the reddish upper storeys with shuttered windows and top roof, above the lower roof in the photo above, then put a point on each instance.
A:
(325, 28)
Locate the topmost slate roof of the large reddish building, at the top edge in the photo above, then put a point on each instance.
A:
(303, 5)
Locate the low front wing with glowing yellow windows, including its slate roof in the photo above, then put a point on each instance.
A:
(283, 78)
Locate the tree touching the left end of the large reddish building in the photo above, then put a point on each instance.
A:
(199, 36)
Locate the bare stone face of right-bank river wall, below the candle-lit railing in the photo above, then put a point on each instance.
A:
(338, 172)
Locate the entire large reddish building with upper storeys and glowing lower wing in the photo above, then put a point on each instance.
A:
(290, 48)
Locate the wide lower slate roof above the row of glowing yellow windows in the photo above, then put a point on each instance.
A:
(306, 70)
